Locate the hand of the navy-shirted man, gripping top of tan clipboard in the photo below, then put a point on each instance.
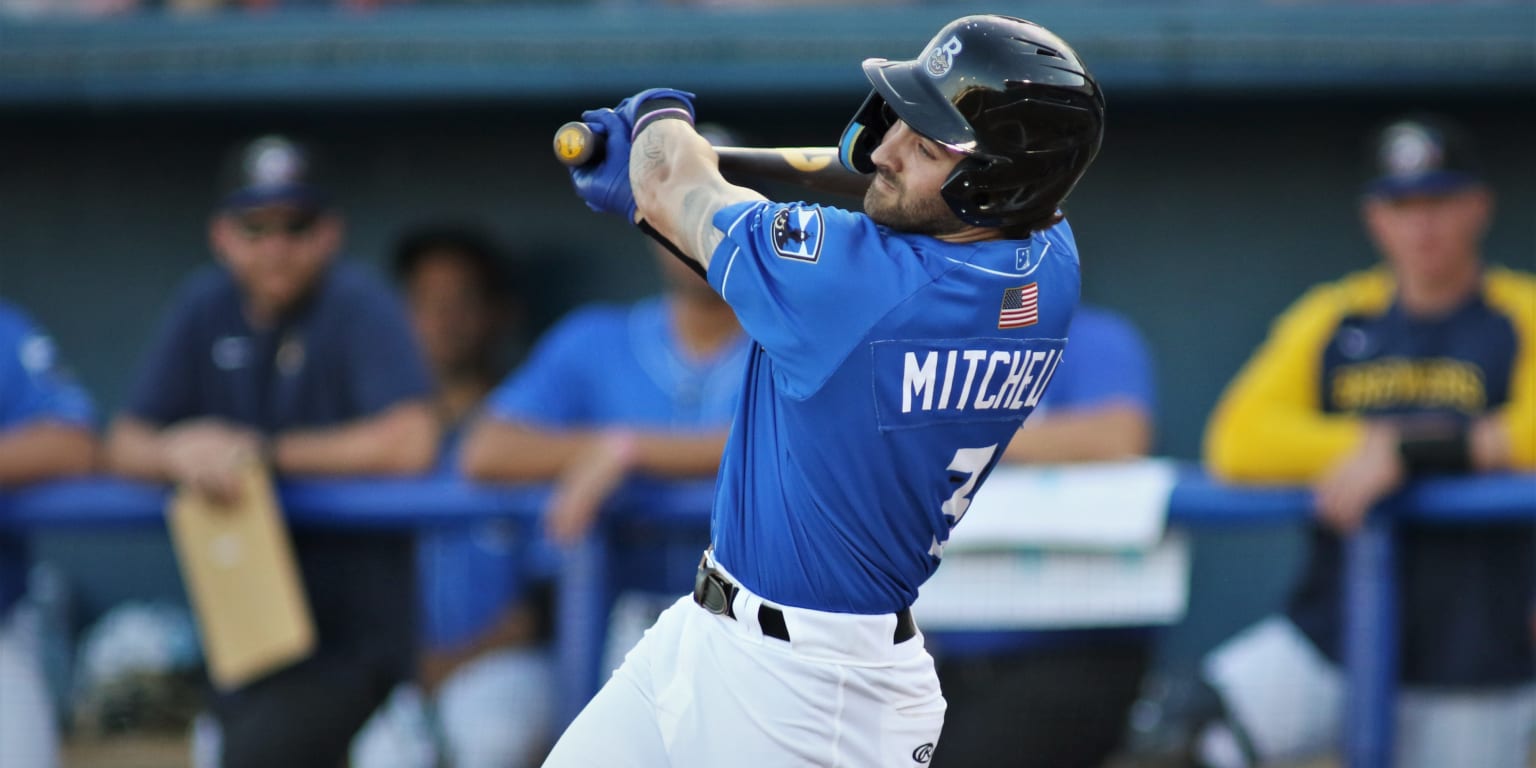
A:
(208, 455)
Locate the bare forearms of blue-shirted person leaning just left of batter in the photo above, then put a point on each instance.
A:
(518, 452)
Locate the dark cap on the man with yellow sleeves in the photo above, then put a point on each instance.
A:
(1423, 156)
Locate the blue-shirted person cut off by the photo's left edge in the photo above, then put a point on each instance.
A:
(45, 432)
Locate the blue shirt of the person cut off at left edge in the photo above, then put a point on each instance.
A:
(33, 388)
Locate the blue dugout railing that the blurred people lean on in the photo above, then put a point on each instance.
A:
(586, 583)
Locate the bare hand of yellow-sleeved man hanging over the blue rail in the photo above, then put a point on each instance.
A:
(1348, 494)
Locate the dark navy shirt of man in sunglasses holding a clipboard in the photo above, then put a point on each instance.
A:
(343, 354)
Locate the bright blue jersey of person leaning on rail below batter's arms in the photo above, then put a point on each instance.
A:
(606, 366)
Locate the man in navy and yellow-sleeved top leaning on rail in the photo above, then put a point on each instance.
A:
(1422, 368)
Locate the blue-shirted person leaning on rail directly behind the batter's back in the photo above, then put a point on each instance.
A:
(1059, 698)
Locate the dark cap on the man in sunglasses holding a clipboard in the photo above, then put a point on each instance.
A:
(273, 171)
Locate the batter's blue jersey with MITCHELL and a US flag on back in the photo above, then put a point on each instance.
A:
(889, 374)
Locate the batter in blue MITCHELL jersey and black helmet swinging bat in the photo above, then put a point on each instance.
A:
(895, 354)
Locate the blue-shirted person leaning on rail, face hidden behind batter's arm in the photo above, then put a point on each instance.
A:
(612, 392)
